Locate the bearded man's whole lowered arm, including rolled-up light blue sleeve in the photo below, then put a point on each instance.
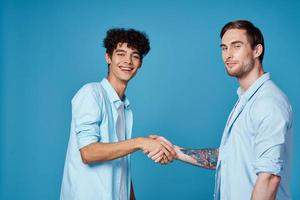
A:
(272, 144)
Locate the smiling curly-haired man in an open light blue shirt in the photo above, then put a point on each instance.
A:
(97, 164)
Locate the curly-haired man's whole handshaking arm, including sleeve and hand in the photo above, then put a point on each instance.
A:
(87, 115)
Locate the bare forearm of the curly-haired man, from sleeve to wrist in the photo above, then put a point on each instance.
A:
(99, 152)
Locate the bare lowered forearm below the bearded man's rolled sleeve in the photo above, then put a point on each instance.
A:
(266, 187)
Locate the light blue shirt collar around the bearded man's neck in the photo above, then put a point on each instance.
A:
(254, 87)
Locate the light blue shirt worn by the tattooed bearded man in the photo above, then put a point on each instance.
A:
(257, 138)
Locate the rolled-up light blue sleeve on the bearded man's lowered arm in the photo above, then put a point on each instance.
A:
(272, 121)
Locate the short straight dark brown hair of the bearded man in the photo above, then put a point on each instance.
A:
(254, 35)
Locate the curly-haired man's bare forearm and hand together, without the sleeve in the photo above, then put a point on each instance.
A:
(99, 152)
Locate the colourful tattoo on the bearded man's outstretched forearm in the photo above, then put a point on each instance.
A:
(206, 158)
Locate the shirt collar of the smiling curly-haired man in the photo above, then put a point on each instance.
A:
(112, 94)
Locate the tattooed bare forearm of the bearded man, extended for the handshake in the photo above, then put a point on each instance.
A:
(205, 158)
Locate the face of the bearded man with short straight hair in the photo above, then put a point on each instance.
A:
(237, 53)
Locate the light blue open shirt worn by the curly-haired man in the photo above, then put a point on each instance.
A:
(94, 119)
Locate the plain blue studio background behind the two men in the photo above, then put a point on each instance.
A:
(49, 49)
